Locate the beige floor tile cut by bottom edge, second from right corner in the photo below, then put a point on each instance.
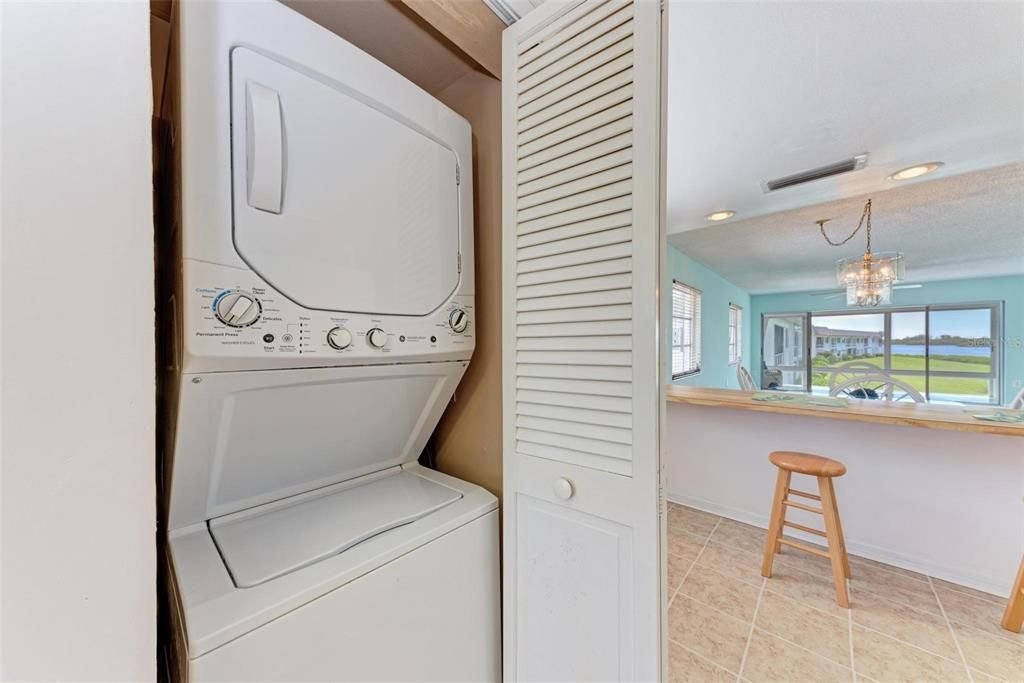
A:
(887, 660)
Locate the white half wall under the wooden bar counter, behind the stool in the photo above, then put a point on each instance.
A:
(944, 503)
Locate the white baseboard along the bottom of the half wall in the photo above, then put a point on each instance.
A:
(877, 553)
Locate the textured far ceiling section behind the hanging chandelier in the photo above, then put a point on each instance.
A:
(969, 226)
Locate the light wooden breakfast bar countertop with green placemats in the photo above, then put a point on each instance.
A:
(929, 416)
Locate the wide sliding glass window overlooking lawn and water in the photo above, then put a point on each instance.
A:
(946, 354)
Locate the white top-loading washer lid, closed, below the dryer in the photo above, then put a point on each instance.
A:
(271, 541)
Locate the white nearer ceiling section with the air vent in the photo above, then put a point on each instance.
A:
(759, 91)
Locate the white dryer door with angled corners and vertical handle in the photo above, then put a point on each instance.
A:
(338, 203)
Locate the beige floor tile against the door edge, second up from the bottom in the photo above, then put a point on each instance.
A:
(708, 632)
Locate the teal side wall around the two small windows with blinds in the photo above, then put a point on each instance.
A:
(717, 294)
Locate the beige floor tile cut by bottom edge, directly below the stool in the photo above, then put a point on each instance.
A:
(772, 660)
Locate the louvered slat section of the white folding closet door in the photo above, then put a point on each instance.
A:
(574, 241)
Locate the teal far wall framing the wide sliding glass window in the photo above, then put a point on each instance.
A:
(1009, 289)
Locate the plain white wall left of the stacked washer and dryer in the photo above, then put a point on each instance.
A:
(77, 480)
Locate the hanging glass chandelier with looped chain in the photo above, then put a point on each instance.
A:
(869, 280)
